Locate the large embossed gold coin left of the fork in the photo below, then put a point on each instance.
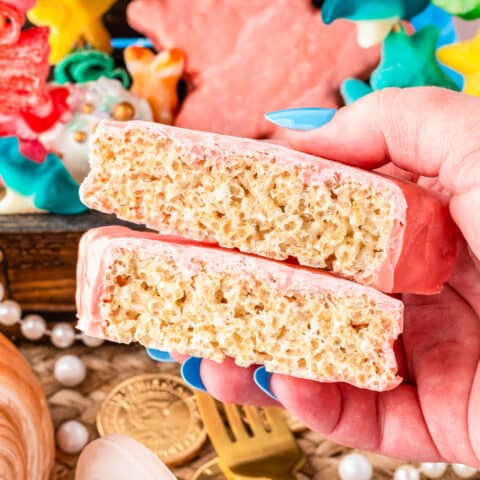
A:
(159, 411)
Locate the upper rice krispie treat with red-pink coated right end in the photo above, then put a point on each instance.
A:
(271, 201)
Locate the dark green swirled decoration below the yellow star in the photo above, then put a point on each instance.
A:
(89, 65)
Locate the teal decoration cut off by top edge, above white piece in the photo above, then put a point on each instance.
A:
(371, 9)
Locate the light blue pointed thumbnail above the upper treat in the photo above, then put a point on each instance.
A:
(301, 118)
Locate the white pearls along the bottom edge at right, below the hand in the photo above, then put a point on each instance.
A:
(356, 466)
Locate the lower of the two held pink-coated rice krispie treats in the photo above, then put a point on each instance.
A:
(197, 299)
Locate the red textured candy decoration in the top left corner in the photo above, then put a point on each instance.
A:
(23, 62)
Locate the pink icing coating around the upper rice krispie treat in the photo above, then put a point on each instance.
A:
(422, 247)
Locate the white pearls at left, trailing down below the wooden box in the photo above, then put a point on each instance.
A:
(69, 370)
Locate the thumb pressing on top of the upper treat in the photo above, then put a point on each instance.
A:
(426, 131)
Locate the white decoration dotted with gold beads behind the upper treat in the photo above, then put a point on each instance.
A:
(89, 103)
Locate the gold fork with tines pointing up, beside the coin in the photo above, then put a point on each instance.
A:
(257, 450)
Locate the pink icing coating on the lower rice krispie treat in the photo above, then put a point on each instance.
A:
(100, 246)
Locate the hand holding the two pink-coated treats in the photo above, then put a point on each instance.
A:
(434, 415)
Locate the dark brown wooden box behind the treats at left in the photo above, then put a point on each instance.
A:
(38, 255)
